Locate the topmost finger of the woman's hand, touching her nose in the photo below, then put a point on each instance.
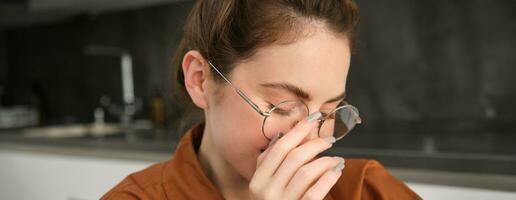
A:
(280, 149)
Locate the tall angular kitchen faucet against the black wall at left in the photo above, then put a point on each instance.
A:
(126, 66)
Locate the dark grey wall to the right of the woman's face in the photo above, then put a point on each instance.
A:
(436, 61)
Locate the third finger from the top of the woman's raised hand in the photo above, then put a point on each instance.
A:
(309, 174)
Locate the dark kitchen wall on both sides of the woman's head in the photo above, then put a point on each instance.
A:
(436, 64)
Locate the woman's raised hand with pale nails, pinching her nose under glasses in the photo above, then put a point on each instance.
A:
(287, 170)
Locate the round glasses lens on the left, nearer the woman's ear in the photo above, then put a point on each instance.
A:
(283, 117)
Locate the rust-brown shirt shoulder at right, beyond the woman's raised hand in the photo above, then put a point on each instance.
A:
(368, 179)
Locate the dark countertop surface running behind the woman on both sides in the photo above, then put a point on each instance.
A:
(489, 153)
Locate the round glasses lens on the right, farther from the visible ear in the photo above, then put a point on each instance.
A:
(340, 122)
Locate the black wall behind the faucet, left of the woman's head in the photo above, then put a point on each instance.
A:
(52, 59)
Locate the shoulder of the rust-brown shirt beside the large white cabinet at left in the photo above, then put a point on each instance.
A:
(144, 184)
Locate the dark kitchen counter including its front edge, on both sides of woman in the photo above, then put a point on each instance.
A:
(423, 159)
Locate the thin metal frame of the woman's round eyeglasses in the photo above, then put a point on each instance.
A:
(266, 114)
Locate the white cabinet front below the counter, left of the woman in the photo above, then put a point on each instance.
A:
(27, 175)
